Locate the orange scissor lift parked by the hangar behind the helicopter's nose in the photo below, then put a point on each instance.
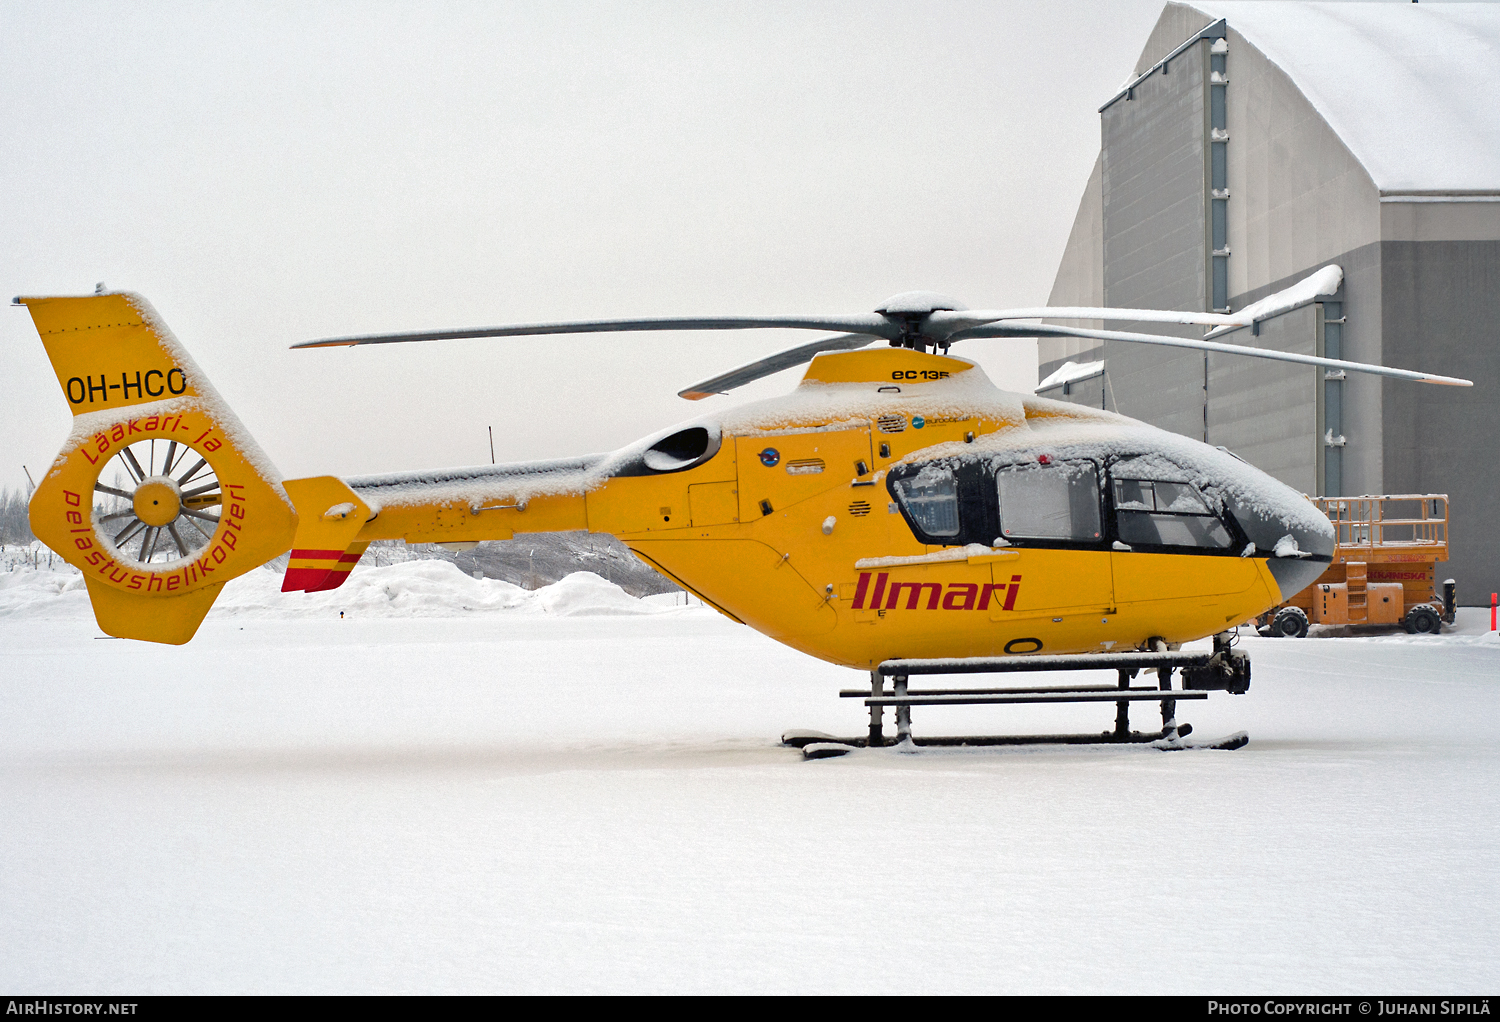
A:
(1384, 571)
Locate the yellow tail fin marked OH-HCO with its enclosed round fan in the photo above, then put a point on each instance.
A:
(160, 494)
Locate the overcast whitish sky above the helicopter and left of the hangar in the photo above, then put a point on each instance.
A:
(269, 173)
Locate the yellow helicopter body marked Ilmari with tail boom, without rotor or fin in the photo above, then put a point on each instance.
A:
(899, 505)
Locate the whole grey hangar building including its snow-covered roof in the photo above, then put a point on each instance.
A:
(1258, 143)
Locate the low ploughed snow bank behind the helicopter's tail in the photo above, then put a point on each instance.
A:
(415, 589)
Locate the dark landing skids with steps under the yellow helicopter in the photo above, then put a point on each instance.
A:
(1202, 673)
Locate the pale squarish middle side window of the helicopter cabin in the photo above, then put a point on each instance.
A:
(1051, 502)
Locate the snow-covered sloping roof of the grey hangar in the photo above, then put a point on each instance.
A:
(1409, 88)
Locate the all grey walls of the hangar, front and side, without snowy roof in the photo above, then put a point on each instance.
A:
(1421, 277)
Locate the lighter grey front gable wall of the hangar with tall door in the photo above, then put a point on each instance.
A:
(1286, 220)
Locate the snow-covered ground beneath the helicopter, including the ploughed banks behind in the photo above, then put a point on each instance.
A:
(466, 787)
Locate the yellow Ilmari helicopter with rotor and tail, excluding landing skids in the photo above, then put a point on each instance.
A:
(895, 505)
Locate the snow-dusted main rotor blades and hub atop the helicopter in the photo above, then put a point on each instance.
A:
(928, 320)
